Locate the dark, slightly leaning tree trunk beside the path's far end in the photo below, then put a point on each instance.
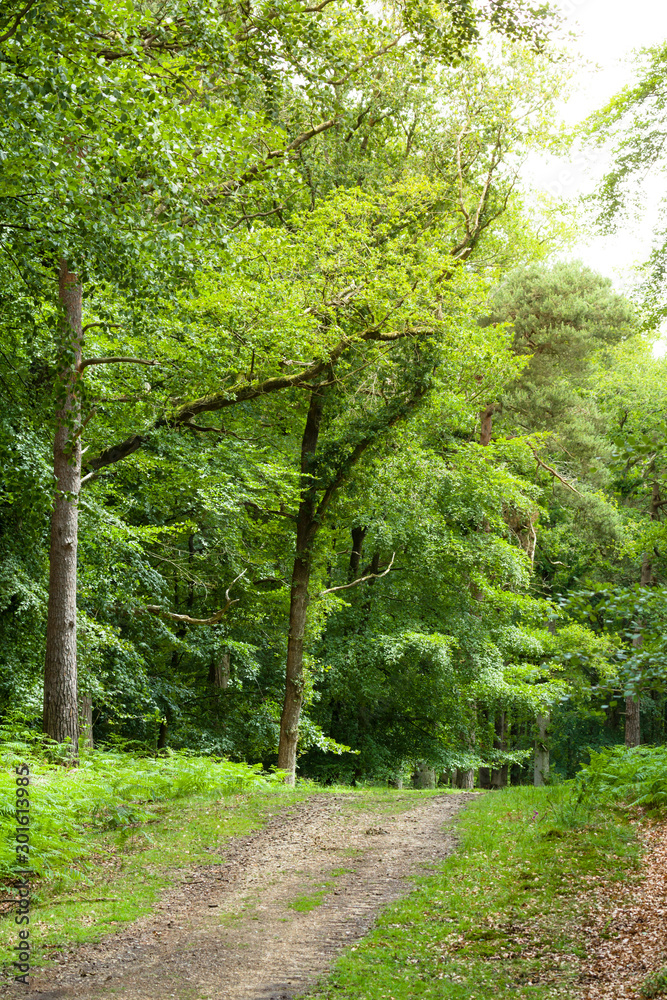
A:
(306, 529)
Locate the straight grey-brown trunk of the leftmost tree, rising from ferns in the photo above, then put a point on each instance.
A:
(60, 719)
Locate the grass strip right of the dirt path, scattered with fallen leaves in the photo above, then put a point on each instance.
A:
(500, 918)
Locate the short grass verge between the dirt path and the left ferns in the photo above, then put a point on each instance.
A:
(122, 873)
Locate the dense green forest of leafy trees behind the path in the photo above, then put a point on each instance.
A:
(321, 447)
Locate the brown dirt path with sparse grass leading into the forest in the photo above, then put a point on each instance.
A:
(269, 920)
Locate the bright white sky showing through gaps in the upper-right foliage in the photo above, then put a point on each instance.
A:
(608, 32)
